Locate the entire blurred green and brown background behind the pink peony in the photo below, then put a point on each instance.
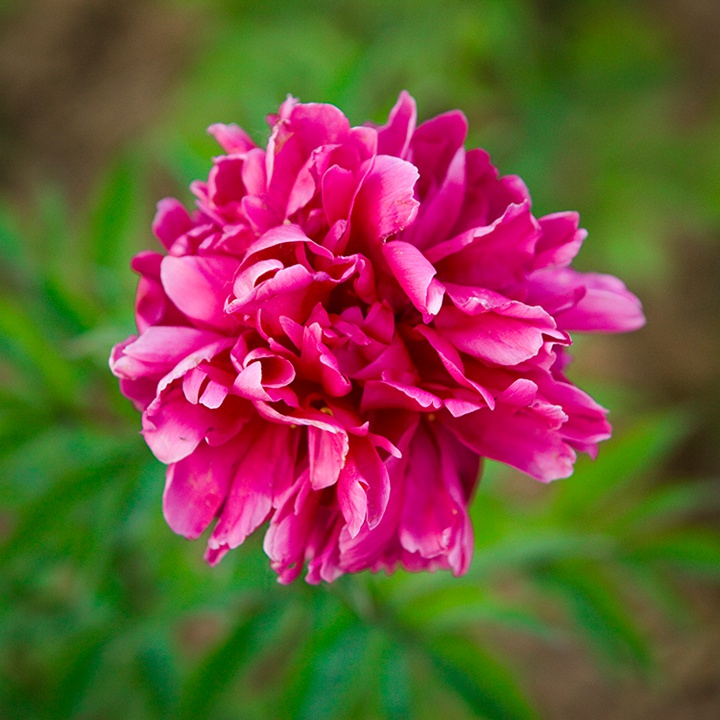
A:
(595, 597)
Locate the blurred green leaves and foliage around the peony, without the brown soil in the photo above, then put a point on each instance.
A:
(104, 613)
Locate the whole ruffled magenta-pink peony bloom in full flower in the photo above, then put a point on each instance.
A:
(347, 323)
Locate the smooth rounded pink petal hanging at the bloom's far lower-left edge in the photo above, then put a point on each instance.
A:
(195, 489)
